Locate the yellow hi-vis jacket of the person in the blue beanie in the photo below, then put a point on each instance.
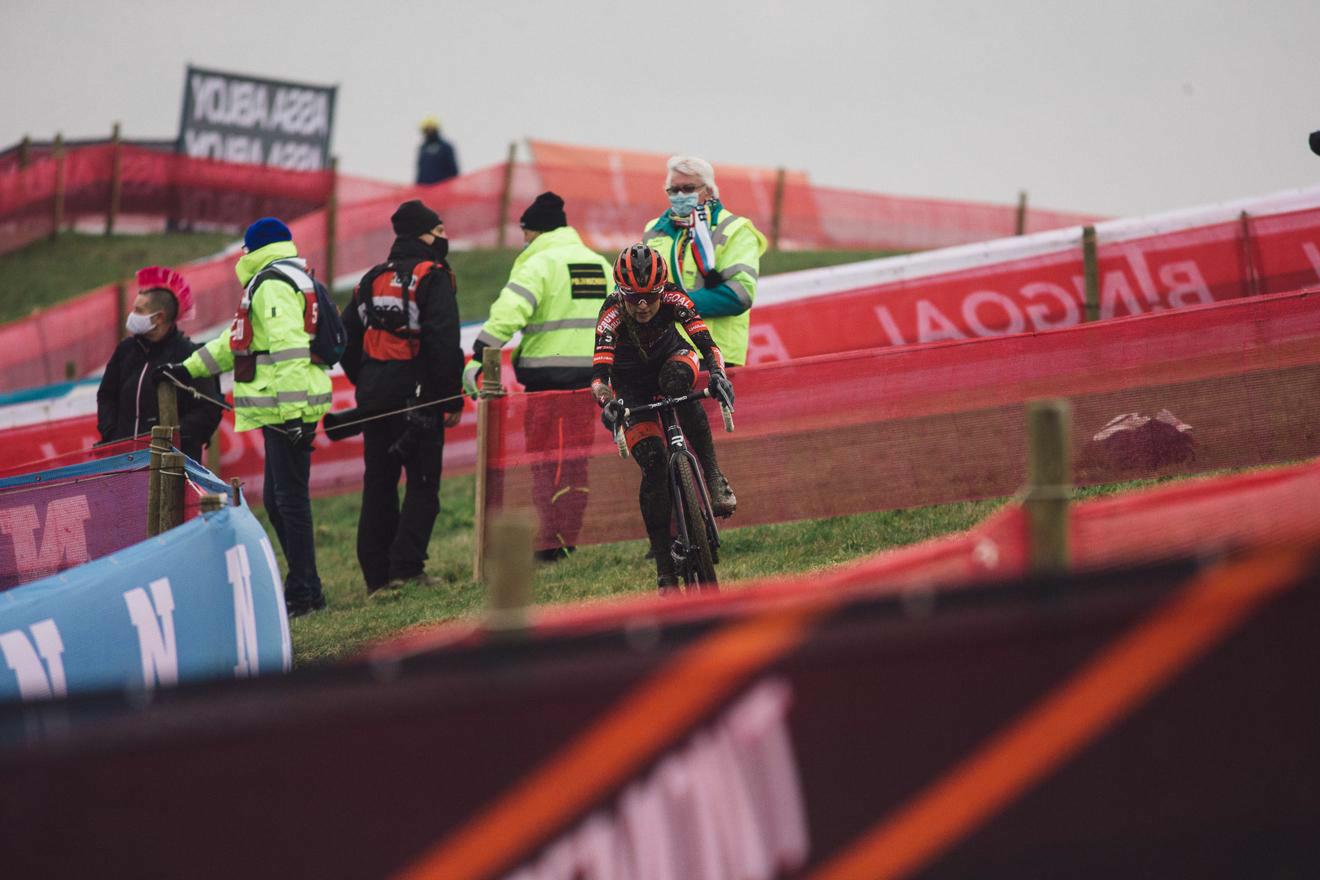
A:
(287, 385)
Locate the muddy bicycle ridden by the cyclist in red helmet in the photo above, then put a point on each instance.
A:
(696, 538)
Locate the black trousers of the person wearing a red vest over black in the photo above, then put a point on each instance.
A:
(393, 542)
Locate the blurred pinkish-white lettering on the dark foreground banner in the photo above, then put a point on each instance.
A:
(728, 805)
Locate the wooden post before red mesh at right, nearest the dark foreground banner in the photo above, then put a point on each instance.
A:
(1049, 485)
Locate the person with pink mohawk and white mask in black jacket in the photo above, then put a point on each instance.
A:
(126, 402)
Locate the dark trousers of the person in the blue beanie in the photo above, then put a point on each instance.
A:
(290, 509)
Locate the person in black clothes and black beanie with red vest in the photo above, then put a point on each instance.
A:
(403, 350)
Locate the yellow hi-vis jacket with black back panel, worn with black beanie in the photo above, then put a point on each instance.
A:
(554, 296)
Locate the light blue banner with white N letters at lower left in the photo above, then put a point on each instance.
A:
(203, 601)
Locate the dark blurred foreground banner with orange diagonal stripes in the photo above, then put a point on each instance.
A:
(1156, 722)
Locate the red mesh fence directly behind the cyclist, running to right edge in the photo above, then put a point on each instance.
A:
(1177, 393)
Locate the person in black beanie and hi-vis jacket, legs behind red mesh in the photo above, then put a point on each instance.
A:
(552, 298)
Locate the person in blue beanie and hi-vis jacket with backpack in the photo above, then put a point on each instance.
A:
(278, 389)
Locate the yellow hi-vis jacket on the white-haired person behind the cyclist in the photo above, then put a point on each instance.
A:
(739, 247)
